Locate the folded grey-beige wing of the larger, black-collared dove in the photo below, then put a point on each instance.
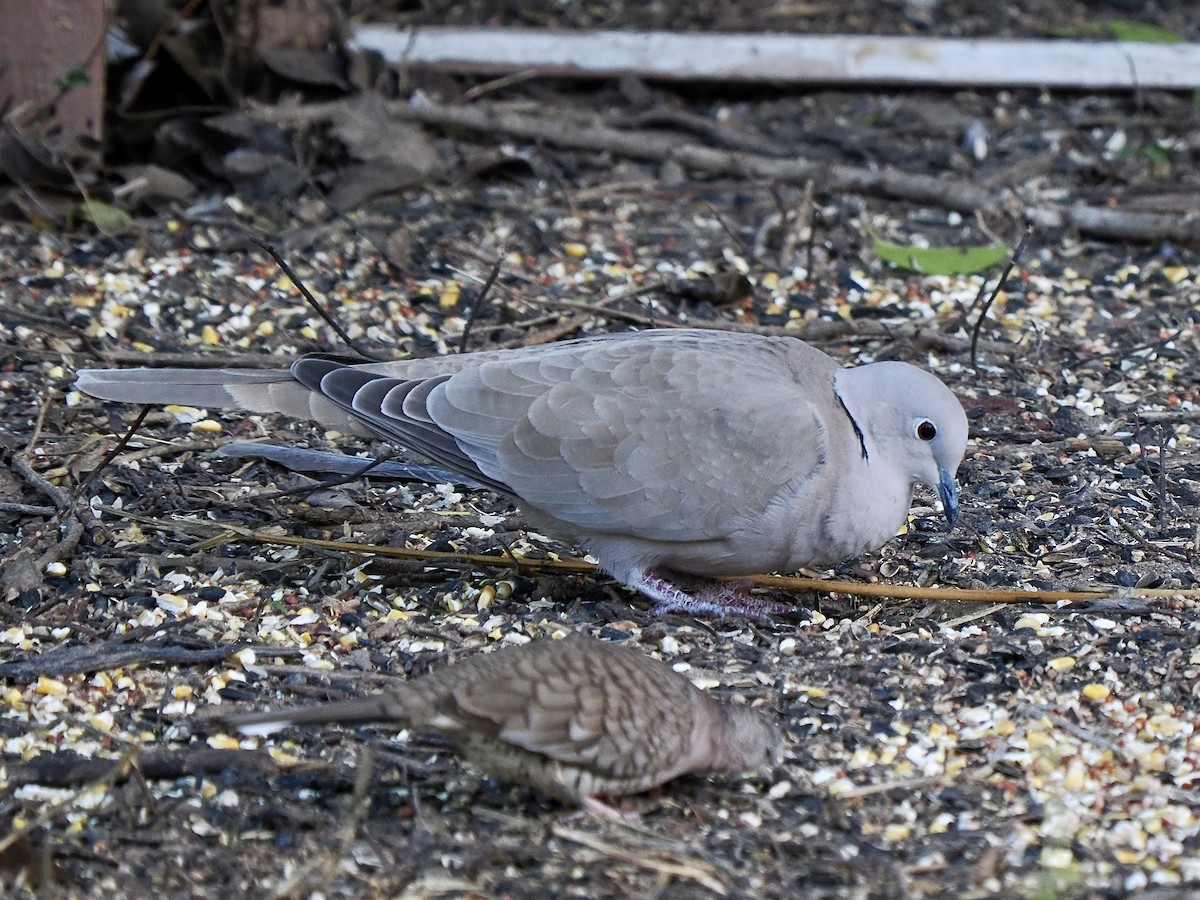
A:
(674, 436)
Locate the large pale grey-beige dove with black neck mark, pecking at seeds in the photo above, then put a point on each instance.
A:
(664, 453)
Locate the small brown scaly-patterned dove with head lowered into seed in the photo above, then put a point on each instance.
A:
(577, 719)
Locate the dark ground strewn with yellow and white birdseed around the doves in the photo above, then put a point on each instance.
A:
(937, 748)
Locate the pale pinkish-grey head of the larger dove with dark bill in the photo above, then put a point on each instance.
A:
(911, 422)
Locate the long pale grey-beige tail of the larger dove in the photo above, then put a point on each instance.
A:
(255, 391)
